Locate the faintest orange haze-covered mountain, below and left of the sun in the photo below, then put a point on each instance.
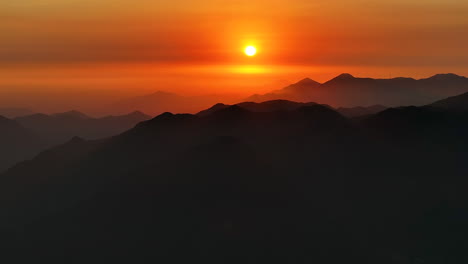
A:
(159, 102)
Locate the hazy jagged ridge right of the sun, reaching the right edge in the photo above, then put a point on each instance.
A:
(348, 91)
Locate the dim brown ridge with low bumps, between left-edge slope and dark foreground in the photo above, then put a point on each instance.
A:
(61, 127)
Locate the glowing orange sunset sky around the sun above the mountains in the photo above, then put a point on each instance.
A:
(86, 50)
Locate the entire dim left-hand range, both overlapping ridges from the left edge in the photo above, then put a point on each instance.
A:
(24, 137)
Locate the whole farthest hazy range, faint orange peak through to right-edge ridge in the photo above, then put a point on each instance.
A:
(344, 91)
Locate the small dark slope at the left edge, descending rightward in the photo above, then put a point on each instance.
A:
(16, 143)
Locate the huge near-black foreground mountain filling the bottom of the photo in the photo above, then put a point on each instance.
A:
(301, 185)
